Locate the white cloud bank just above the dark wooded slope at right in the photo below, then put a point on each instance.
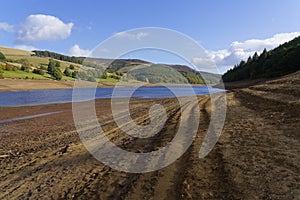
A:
(238, 51)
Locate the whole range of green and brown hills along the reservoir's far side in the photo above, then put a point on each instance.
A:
(98, 69)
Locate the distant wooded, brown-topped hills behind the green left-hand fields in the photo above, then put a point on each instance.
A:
(139, 70)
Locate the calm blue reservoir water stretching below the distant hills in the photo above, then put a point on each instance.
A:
(36, 97)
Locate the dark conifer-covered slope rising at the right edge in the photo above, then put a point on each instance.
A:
(280, 61)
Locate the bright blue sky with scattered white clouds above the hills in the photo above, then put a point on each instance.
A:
(228, 30)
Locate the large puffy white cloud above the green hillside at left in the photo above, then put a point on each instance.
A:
(43, 27)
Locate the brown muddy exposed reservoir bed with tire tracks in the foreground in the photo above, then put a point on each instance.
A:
(257, 156)
